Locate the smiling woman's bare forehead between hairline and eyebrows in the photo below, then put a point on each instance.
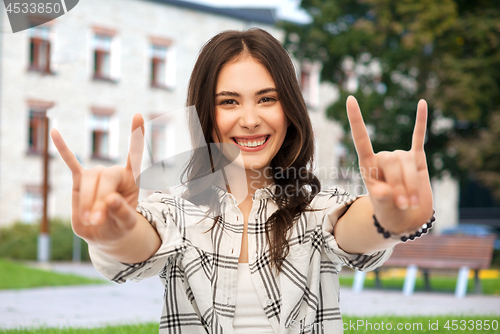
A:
(244, 74)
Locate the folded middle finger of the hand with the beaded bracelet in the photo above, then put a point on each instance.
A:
(393, 174)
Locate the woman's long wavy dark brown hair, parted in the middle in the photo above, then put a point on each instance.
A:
(292, 165)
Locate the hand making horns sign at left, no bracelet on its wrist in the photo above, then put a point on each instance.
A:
(104, 199)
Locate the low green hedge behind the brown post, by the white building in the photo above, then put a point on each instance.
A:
(19, 241)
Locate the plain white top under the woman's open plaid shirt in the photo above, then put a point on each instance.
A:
(249, 316)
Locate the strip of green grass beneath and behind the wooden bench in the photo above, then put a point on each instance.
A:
(490, 286)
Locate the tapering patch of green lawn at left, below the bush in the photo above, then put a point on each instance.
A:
(15, 275)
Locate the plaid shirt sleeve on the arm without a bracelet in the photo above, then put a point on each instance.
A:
(156, 209)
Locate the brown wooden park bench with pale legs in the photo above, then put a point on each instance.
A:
(438, 252)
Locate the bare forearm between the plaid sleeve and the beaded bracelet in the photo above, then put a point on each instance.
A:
(355, 232)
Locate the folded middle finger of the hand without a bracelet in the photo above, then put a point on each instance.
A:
(109, 180)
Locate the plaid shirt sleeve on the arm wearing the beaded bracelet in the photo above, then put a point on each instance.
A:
(337, 202)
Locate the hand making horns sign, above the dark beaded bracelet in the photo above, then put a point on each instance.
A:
(397, 182)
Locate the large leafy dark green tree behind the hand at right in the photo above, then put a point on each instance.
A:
(399, 51)
